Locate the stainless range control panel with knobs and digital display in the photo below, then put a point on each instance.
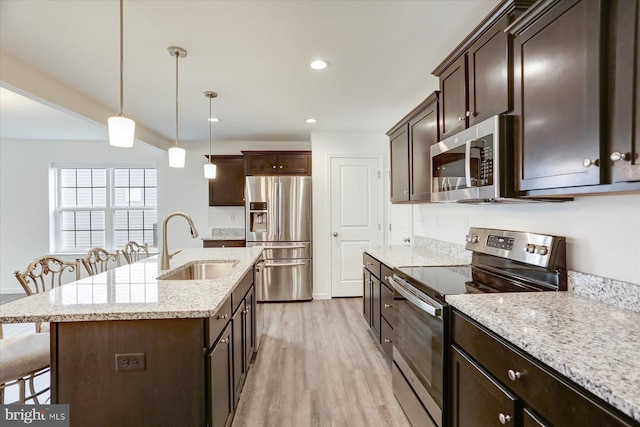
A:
(531, 248)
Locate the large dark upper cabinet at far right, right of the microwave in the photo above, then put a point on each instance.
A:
(576, 96)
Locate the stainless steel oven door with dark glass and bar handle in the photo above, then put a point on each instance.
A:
(418, 350)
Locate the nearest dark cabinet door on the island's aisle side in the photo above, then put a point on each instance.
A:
(220, 391)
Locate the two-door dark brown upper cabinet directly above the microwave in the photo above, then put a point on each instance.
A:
(476, 78)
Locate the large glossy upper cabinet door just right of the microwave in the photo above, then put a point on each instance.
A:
(557, 97)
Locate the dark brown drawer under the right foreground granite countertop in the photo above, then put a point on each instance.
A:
(552, 395)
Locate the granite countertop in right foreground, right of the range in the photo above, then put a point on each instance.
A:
(592, 343)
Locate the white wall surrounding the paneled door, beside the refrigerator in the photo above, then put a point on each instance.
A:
(323, 145)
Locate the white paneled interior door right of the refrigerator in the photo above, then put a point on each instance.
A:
(356, 219)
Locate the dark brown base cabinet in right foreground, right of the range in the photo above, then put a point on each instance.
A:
(493, 381)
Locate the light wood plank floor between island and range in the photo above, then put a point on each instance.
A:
(318, 366)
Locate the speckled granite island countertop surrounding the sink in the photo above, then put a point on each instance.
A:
(133, 292)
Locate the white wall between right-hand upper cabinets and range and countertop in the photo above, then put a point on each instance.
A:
(603, 232)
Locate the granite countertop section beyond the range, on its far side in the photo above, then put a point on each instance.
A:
(403, 256)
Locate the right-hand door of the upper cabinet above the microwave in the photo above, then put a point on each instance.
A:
(489, 74)
